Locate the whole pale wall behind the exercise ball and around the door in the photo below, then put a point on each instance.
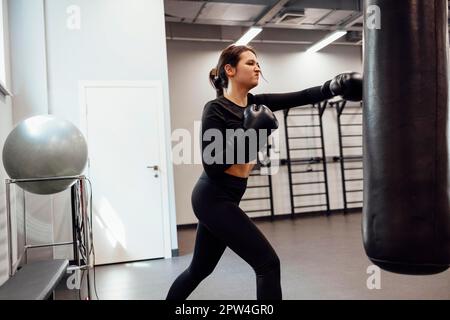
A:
(118, 40)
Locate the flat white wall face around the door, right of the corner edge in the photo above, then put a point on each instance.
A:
(118, 40)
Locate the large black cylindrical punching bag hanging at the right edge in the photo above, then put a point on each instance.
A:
(406, 214)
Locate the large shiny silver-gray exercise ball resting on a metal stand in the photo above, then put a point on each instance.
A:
(41, 147)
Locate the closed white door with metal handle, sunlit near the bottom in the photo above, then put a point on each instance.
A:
(123, 139)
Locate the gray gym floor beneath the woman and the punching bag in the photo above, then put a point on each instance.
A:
(321, 258)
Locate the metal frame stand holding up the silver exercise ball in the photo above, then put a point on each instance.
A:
(82, 227)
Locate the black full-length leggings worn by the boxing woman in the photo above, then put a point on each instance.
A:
(223, 224)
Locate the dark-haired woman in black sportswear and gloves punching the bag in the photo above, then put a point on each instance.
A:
(216, 196)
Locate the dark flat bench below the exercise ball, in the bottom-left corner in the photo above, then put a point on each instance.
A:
(34, 281)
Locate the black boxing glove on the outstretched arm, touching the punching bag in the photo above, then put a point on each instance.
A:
(346, 85)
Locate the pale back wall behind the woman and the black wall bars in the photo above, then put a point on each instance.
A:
(286, 68)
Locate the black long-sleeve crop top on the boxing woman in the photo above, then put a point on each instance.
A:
(222, 114)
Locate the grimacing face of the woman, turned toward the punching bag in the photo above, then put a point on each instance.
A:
(247, 71)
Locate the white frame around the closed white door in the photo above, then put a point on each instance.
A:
(163, 172)
